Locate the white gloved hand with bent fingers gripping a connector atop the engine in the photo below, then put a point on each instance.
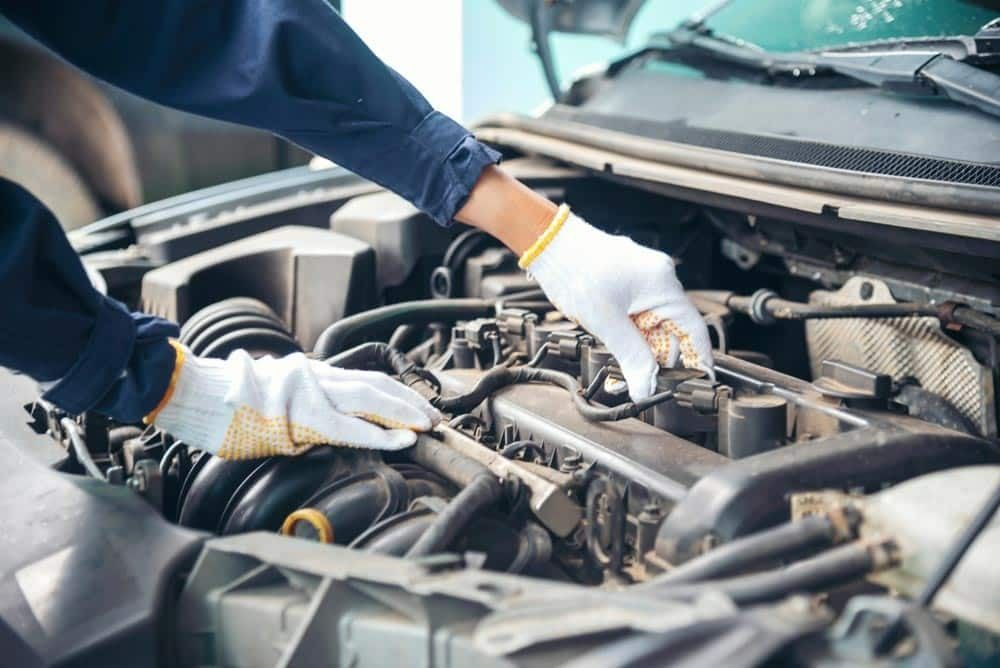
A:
(625, 294)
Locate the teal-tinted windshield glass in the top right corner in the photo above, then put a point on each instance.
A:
(803, 25)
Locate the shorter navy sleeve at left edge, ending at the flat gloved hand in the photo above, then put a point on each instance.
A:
(56, 328)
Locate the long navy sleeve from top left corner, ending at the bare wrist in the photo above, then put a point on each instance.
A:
(289, 66)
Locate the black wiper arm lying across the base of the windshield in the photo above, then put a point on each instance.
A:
(929, 73)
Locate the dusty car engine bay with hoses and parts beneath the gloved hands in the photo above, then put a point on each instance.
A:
(802, 495)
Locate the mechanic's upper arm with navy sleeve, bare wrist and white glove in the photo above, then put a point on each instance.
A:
(296, 69)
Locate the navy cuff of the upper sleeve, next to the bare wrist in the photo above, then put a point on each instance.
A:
(460, 160)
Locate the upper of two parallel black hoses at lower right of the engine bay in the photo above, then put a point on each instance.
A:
(782, 541)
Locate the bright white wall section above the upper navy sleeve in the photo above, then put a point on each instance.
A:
(421, 39)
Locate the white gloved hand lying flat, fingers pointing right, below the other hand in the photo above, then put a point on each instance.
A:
(241, 408)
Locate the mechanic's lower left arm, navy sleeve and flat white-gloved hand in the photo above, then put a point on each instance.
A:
(90, 353)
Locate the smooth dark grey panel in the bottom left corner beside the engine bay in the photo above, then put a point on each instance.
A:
(87, 570)
